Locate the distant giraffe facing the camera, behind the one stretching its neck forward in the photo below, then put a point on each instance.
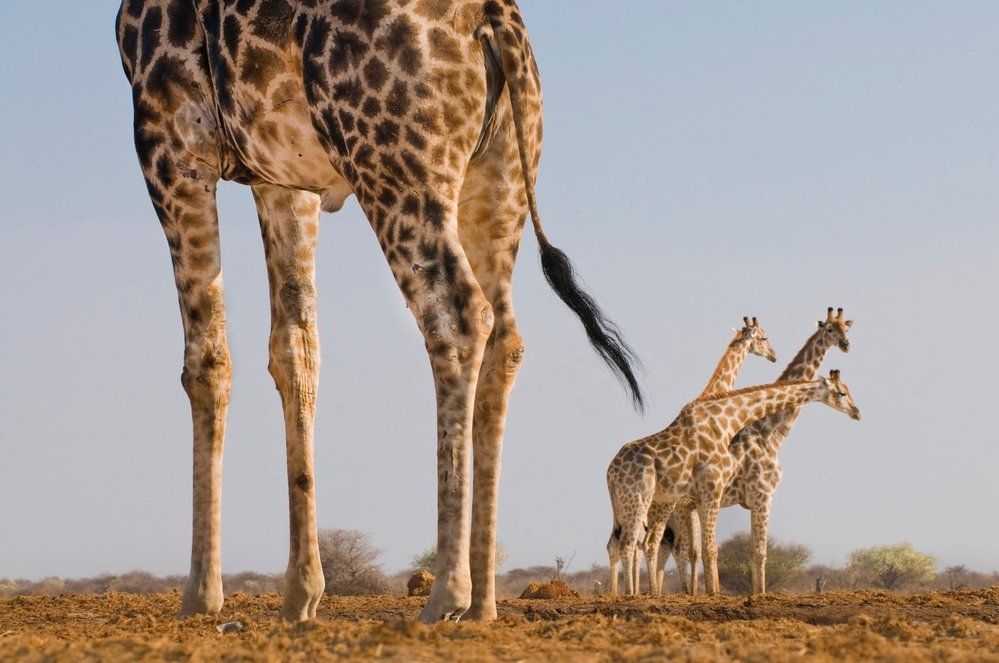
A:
(755, 448)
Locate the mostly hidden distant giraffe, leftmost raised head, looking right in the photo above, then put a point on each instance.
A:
(751, 339)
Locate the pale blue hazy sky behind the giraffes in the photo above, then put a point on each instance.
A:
(702, 161)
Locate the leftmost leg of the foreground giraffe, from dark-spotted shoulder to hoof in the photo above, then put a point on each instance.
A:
(177, 145)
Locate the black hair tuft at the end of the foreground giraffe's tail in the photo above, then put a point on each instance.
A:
(604, 335)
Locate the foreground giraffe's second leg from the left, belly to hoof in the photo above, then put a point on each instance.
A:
(289, 224)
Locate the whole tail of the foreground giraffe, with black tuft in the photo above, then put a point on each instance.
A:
(505, 43)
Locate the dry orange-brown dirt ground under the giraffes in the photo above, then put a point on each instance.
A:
(962, 625)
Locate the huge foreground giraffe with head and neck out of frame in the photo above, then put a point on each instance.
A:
(429, 112)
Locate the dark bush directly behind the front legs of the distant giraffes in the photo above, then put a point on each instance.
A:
(785, 562)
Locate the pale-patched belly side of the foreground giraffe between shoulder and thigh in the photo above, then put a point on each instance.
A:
(256, 74)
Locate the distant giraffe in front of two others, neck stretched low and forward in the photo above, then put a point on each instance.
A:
(690, 460)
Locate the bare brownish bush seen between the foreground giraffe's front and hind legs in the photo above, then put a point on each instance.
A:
(351, 563)
